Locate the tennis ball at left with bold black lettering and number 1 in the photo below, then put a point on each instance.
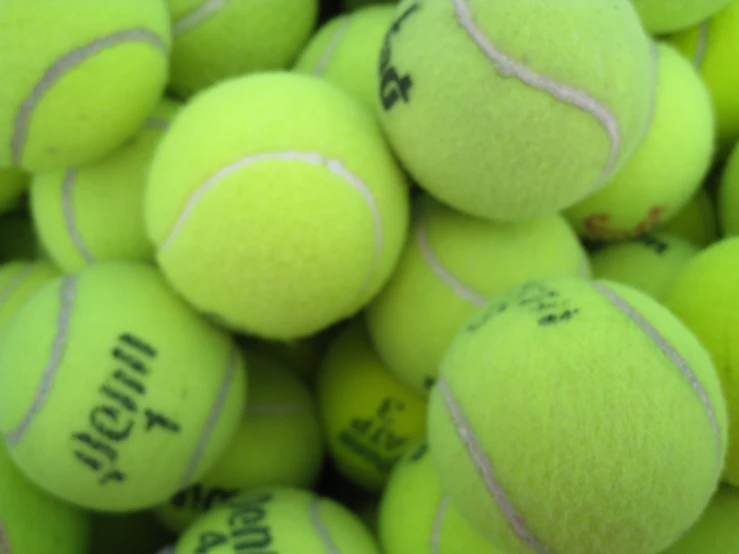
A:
(109, 374)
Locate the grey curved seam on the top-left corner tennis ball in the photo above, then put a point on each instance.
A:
(64, 65)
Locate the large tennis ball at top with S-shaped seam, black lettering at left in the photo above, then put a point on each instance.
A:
(509, 120)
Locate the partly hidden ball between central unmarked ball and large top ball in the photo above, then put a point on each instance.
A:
(345, 50)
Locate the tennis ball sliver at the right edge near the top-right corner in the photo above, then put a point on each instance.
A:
(712, 46)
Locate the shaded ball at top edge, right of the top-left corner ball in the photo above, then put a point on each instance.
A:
(214, 41)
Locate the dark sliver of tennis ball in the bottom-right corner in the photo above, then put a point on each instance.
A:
(716, 532)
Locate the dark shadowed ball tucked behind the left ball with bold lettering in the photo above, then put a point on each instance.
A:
(279, 443)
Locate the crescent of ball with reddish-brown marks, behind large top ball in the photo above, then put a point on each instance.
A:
(667, 168)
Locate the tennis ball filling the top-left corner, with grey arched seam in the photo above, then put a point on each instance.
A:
(77, 87)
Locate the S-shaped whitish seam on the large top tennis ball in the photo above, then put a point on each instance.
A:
(508, 67)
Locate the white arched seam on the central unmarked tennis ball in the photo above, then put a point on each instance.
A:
(313, 158)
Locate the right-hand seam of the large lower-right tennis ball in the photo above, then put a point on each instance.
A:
(673, 356)
